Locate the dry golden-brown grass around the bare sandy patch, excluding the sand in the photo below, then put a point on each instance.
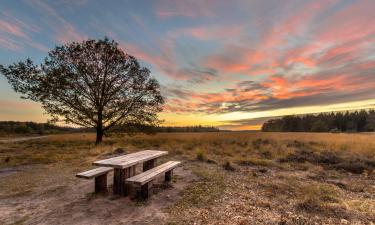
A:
(318, 178)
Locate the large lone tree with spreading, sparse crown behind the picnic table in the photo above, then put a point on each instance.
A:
(90, 84)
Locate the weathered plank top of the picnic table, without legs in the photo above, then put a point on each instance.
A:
(132, 159)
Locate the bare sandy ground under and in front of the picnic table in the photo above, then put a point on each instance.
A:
(75, 204)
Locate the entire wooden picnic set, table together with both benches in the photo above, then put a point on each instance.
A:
(124, 168)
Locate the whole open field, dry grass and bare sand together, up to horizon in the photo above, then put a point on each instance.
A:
(226, 178)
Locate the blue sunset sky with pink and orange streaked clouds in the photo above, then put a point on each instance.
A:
(230, 64)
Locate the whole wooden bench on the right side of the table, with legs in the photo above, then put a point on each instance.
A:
(143, 180)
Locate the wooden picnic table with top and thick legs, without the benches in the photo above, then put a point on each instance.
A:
(125, 167)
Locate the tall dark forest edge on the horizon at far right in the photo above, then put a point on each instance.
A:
(353, 121)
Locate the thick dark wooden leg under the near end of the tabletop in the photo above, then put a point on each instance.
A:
(119, 177)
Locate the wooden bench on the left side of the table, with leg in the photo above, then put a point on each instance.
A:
(100, 175)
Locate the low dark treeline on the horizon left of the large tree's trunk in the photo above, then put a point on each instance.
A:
(15, 127)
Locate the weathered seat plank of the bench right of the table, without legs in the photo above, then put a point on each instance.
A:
(148, 175)
